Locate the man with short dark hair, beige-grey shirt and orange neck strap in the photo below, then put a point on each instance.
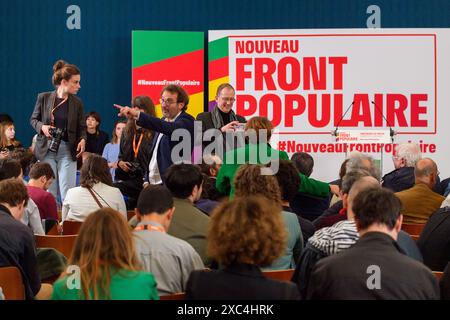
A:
(169, 259)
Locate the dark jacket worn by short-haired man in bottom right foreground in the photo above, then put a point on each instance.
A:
(345, 275)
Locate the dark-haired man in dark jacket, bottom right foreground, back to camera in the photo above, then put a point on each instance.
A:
(375, 267)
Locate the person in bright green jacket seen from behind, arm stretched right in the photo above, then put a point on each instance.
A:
(261, 128)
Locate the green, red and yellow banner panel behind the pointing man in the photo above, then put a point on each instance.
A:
(160, 58)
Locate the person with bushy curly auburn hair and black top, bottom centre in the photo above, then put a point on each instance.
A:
(258, 241)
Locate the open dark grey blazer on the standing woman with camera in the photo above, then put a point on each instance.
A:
(76, 125)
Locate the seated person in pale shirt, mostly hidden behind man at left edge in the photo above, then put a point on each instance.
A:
(10, 168)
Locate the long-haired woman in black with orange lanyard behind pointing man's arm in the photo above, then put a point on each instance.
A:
(134, 154)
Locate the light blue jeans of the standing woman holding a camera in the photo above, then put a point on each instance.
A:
(65, 170)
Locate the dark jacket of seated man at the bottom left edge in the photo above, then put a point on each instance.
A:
(17, 249)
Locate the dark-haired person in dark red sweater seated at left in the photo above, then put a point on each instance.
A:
(41, 177)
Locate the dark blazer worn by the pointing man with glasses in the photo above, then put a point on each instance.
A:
(159, 126)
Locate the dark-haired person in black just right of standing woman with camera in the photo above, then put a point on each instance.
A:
(96, 138)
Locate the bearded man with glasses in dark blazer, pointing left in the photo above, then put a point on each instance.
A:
(174, 101)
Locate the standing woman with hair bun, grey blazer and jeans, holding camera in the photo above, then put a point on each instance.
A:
(58, 119)
